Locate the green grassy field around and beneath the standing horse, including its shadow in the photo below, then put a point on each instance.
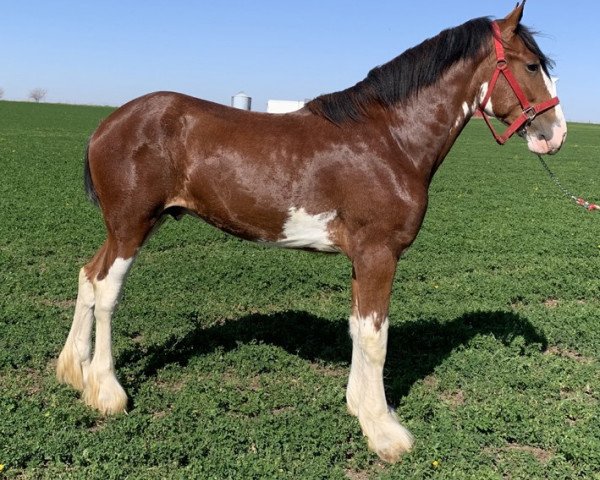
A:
(236, 356)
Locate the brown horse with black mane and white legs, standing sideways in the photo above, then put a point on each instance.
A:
(348, 173)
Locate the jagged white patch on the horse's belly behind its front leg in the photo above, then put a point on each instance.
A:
(302, 230)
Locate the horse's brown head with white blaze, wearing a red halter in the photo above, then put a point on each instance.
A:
(521, 92)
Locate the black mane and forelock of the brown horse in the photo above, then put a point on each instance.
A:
(416, 68)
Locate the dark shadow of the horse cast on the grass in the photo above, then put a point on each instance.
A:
(415, 348)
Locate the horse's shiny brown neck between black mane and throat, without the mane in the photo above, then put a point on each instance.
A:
(426, 126)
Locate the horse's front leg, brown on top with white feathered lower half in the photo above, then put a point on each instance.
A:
(373, 275)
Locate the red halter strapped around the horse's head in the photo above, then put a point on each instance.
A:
(529, 111)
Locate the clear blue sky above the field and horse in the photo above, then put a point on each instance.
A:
(111, 51)
